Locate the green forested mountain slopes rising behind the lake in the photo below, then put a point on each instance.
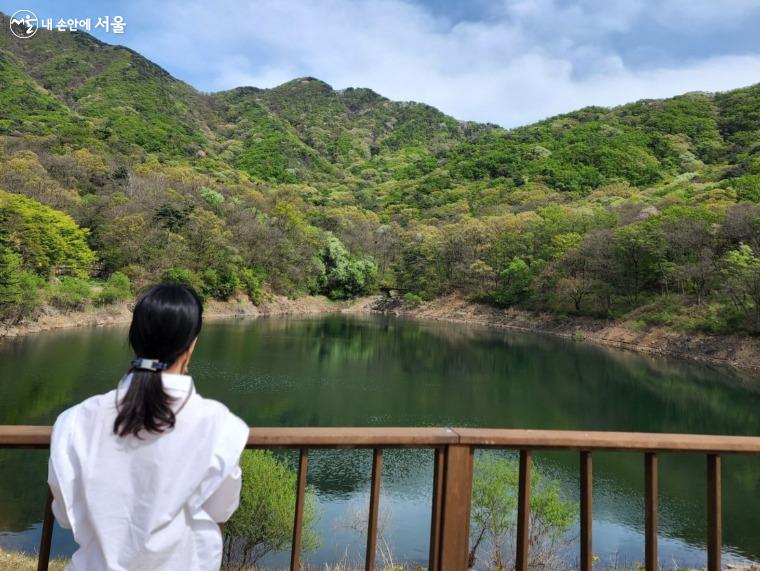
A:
(649, 211)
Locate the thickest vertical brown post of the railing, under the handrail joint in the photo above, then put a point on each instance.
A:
(455, 513)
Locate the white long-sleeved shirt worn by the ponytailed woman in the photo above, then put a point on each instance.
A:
(151, 503)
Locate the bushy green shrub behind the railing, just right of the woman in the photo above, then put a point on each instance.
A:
(264, 521)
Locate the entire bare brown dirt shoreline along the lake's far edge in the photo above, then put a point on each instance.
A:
(736, 351)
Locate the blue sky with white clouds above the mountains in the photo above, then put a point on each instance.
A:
(509, 62)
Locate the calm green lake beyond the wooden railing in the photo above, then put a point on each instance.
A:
(346, 370)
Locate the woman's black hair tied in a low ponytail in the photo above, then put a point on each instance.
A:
(166, 320)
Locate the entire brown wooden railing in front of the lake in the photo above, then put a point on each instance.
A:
(452, 479)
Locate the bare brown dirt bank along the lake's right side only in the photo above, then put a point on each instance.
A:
(736, 351)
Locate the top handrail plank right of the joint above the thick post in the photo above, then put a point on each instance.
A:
(600, 440)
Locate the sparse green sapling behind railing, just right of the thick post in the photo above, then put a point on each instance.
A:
(494, 513)
